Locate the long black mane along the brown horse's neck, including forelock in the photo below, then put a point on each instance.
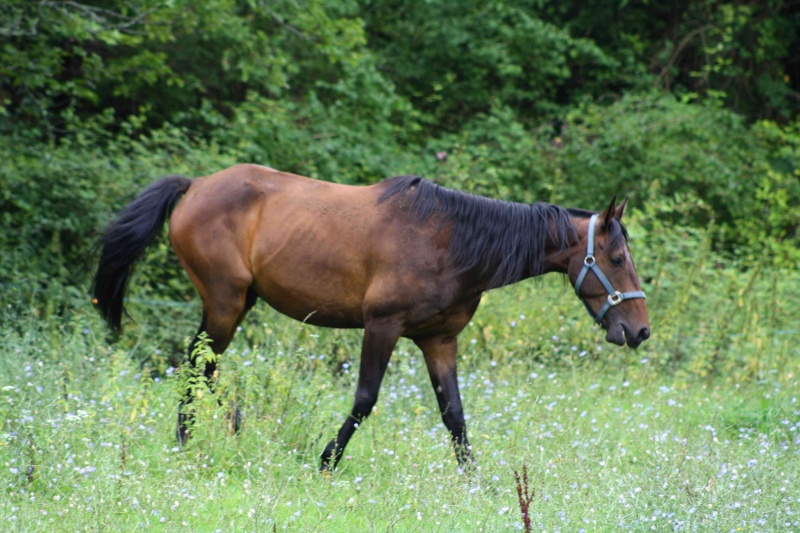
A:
(488, 233)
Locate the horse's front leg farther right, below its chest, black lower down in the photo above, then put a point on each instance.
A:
(440, 357)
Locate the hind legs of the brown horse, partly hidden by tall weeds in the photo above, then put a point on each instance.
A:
(221, 316)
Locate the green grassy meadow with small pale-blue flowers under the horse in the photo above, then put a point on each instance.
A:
(611, 439)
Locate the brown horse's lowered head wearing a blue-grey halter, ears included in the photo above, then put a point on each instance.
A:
(604, 277)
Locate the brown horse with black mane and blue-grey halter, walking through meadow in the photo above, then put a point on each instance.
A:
(401, 258)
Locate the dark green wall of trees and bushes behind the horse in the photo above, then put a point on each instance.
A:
(689, 107)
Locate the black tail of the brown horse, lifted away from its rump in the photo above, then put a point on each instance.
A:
(125, 241)
